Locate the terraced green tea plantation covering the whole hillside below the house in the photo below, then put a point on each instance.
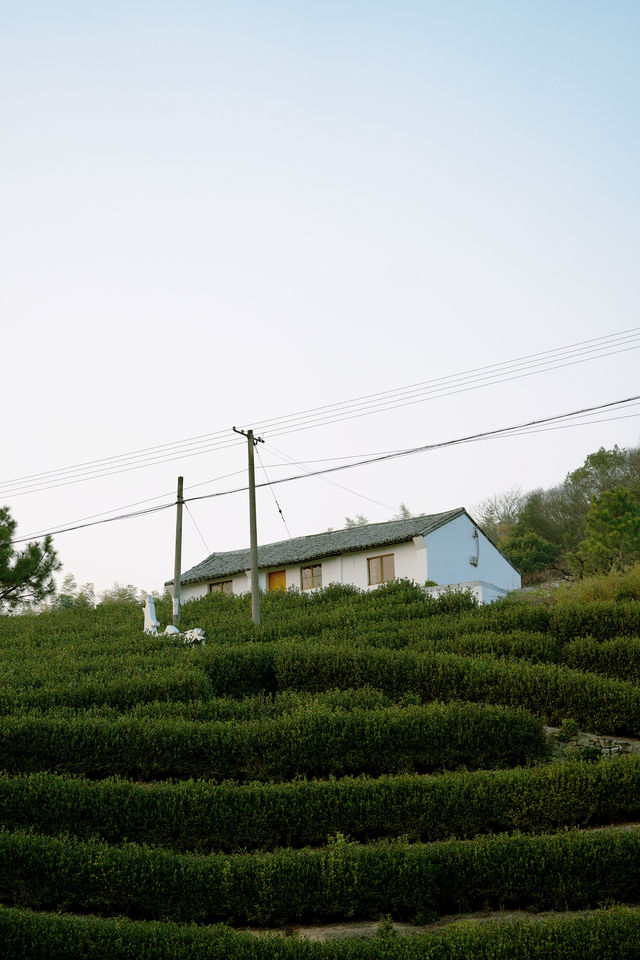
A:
(358, 757)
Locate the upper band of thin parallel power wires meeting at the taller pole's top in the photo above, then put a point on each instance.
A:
(476, 378)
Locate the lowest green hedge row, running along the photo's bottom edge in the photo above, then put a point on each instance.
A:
(606, 934)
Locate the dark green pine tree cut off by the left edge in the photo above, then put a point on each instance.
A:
(26, 576)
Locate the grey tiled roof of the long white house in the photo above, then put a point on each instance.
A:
(317, 546)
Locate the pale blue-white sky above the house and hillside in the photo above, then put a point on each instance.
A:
(217, 214)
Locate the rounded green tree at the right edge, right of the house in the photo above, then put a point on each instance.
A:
(613, 533)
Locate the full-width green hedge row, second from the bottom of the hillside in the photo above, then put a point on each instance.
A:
(570, 870)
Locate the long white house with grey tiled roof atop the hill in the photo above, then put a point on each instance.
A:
(448, 549)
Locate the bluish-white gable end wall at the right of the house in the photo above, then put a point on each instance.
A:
(450, 547)
